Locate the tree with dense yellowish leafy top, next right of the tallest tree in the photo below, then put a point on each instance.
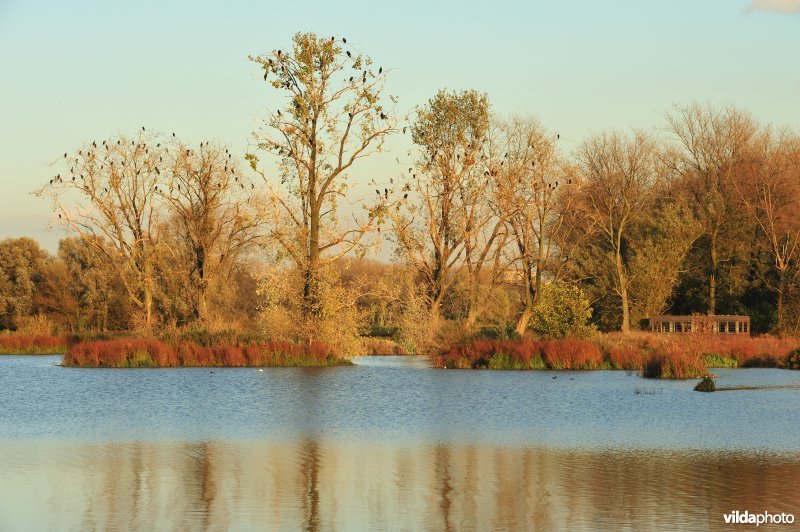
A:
(433, 227)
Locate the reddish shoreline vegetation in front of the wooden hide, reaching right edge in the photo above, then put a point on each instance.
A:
(654, 356)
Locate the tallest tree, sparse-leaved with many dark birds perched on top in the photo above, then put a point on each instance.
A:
(335, 116)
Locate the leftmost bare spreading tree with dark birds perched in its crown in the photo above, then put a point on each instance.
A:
(108, 195)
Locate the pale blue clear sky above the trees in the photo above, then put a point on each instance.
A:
(83, 70)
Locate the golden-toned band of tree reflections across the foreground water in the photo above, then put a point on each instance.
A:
(326, 484)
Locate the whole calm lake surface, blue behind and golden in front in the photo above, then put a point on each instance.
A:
(389, 445)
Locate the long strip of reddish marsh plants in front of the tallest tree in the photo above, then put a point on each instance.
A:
(137, 353)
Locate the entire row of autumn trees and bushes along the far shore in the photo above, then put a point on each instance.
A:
(494, 223)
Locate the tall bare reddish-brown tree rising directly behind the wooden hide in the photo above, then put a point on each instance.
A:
(713, 142)
